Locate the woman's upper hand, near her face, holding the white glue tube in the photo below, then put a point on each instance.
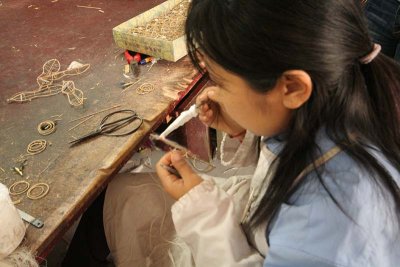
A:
(212, 113)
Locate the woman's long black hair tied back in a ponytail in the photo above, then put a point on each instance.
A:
(261, 39)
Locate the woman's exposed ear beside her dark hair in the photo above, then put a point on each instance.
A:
(296, 88)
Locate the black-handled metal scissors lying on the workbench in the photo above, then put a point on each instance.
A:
(108, 126)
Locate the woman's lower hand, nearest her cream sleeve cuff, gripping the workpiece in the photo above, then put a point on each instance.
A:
(177, 187)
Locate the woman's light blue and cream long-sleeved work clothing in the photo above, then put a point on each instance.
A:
(309, 230)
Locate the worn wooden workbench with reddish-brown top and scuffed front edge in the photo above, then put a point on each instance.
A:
(75, 175)
